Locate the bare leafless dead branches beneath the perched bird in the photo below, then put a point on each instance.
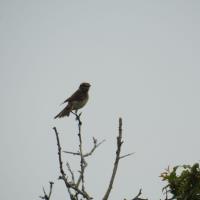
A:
(76, 186)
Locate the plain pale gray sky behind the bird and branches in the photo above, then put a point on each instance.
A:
(142, 60)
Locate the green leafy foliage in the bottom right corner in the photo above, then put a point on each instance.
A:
(183, 182)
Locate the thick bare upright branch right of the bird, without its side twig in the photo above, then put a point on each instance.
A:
(117, 158)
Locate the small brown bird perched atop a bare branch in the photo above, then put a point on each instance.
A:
(76, 101)
